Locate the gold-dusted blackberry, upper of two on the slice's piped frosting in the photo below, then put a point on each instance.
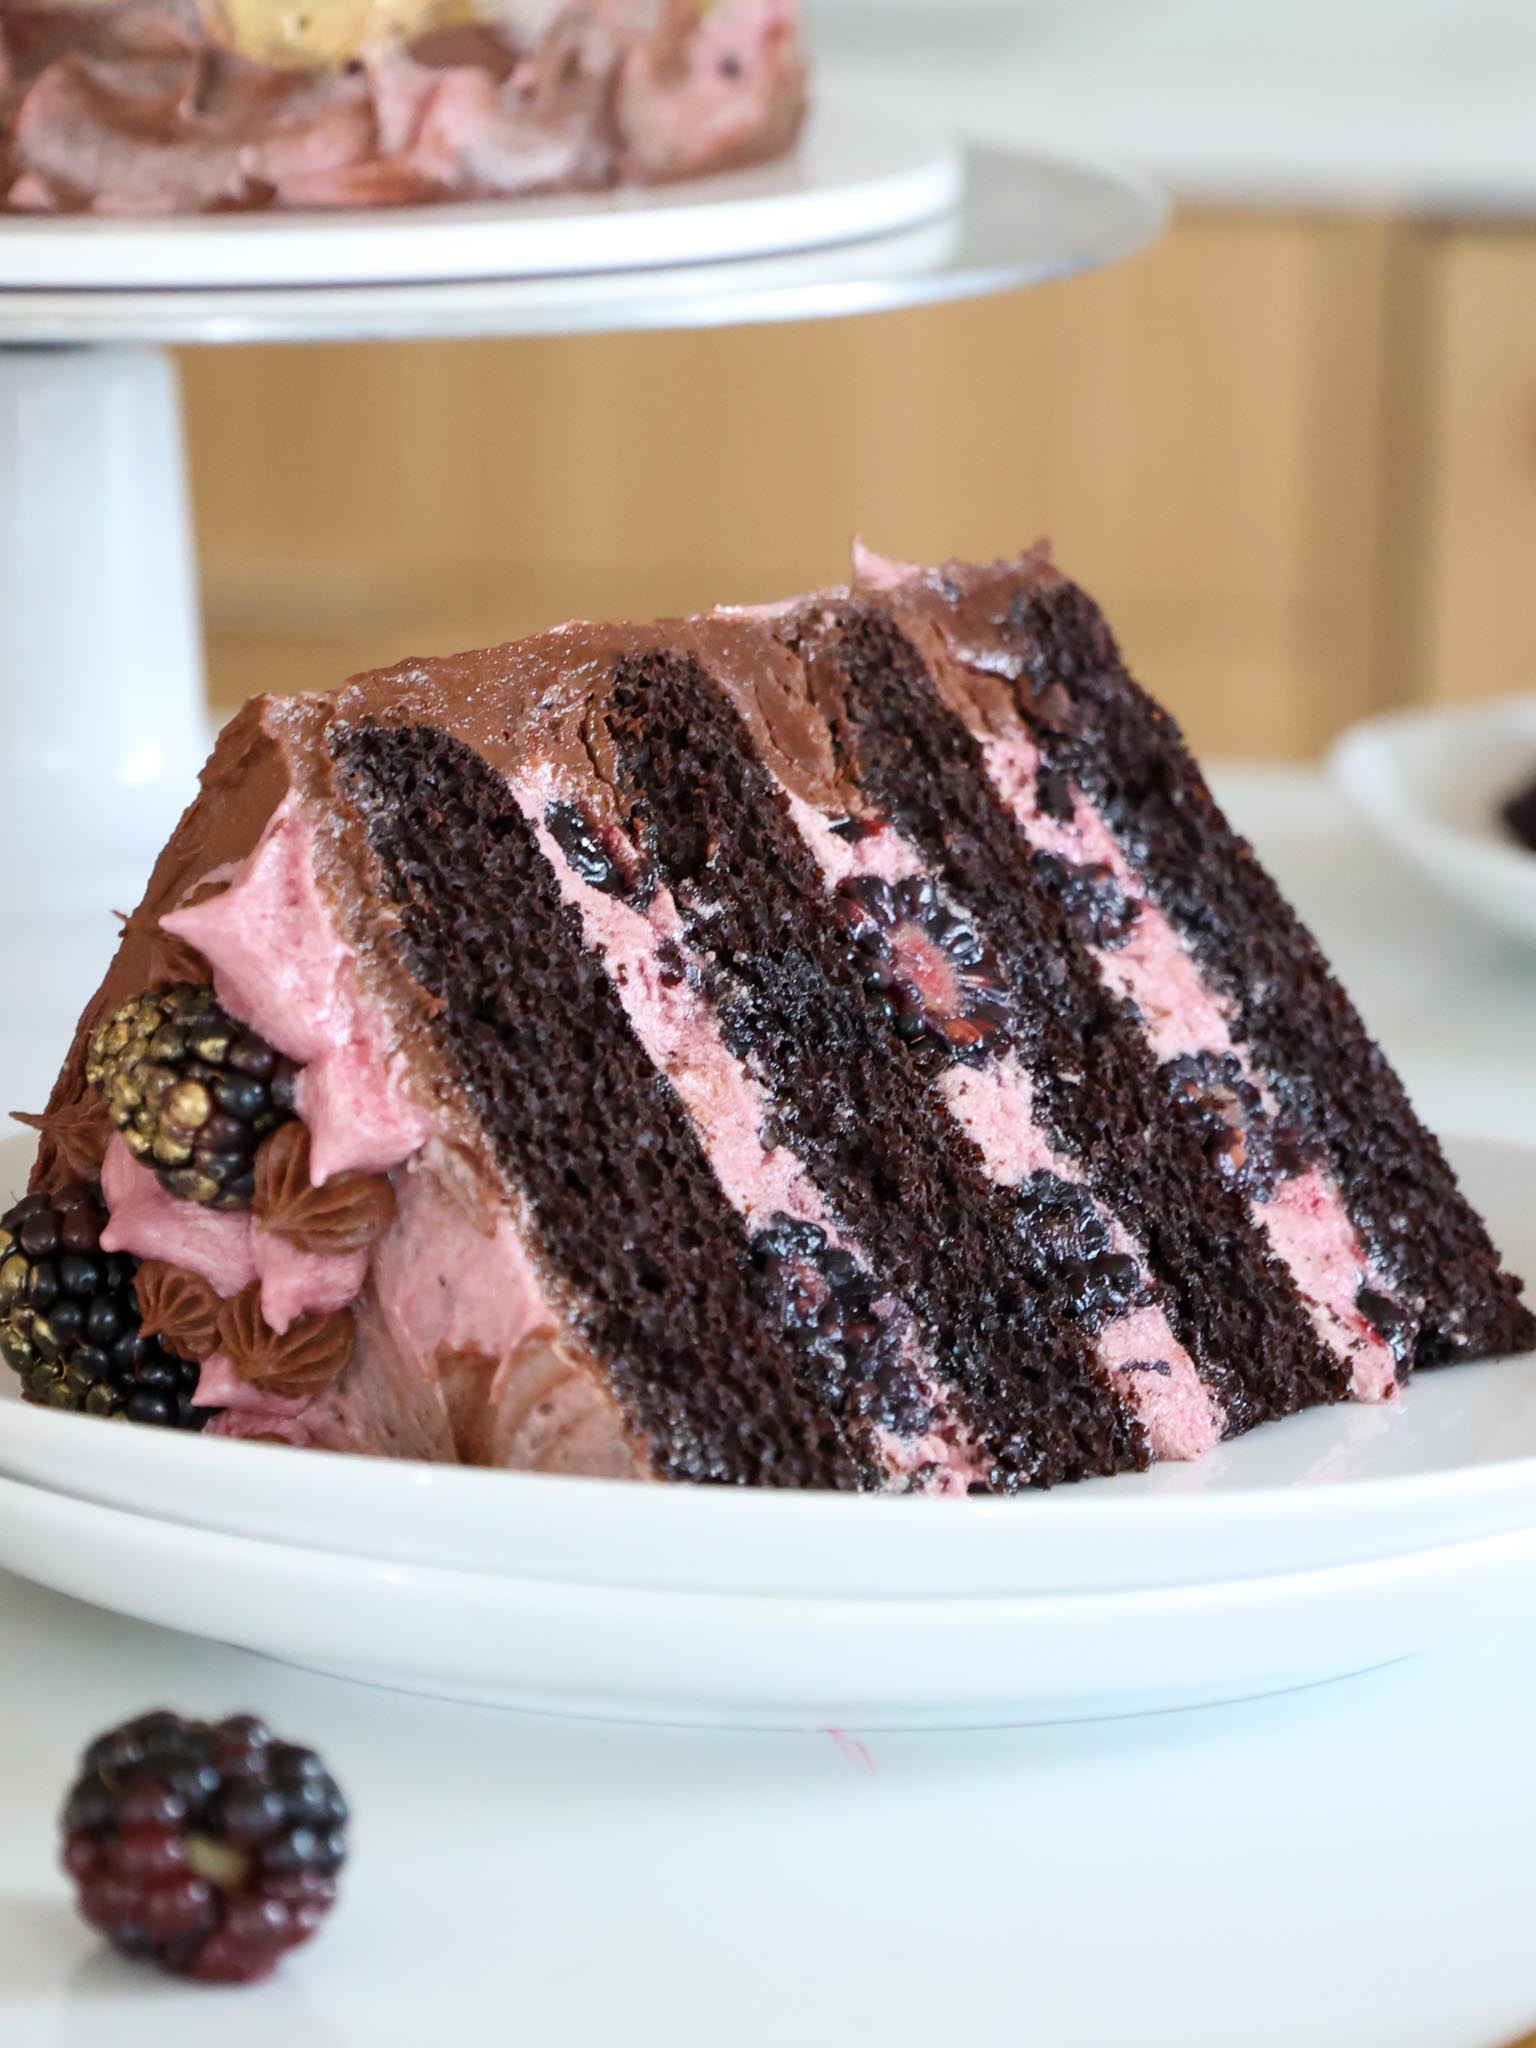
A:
(191, 1091)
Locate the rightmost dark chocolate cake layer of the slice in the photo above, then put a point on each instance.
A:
(1099, 730)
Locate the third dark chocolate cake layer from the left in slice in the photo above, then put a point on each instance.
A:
(1095, 1080)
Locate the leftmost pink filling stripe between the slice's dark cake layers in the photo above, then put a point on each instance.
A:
(726, 1105)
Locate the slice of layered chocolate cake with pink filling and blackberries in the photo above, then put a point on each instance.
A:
(837, 1046)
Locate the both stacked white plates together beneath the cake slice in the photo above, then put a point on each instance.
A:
(1324, 1545)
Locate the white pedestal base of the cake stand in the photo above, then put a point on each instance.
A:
(101, 669)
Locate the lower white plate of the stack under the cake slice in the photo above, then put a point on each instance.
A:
(763, 1662)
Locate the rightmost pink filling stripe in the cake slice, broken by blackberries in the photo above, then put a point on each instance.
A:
(1306, 1220)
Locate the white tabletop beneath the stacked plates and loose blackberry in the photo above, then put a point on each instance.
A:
(1347, 1869)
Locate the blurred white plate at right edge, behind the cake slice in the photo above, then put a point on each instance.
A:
(1433, 785)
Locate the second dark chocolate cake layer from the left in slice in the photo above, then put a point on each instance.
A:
(849, 1099)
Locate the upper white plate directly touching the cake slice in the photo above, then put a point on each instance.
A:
(1455, 1461)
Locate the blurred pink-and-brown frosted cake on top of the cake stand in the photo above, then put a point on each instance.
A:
(148, 108)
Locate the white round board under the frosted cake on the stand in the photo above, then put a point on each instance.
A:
(853, 175)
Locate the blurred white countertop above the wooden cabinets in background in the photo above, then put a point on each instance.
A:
(1422, 105)
